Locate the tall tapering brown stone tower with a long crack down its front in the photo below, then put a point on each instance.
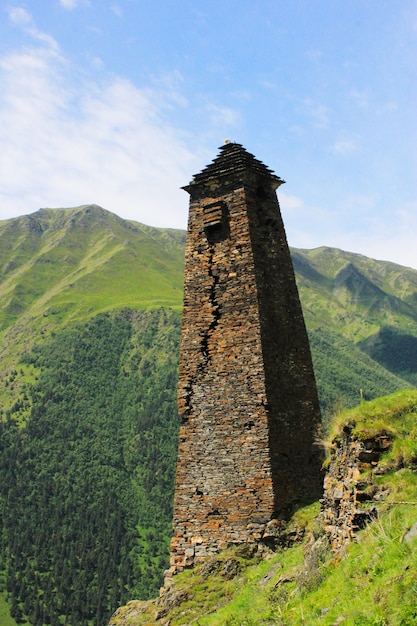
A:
(247, 396)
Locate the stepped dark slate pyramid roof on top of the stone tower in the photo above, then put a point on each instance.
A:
(233, 160)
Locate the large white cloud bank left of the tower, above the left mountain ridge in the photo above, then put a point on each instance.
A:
(68, 141)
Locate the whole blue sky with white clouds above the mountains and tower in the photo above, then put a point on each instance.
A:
(120, 102)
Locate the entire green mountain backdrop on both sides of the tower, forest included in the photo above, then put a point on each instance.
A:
(89, 332)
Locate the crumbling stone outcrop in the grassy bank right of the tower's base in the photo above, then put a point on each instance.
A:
(350, 493)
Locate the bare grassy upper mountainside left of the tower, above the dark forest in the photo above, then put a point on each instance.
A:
(66, 263)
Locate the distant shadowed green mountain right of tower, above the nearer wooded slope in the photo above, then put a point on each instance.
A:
(372, 303)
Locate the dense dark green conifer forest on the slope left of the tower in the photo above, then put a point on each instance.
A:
(87, 462)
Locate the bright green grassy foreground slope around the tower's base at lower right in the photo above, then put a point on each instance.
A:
(373, 584)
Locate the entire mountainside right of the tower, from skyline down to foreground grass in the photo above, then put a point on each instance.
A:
(356, 307)
